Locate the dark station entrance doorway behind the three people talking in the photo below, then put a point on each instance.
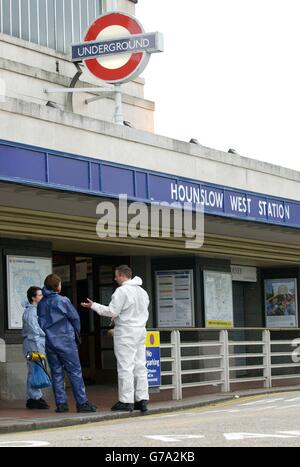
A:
(91, 277)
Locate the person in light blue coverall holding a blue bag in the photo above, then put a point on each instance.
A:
(33, 341)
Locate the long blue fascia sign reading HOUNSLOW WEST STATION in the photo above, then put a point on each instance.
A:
(68, 172)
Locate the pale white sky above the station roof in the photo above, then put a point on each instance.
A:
(229, 75)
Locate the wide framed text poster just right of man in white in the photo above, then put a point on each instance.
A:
(175, 299)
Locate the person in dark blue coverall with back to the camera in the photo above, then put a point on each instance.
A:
(61, 324)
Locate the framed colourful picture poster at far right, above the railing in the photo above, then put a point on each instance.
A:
(281, 304)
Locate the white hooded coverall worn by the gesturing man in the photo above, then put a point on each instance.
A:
(129, 309)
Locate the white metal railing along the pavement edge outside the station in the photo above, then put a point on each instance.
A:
(228, 357)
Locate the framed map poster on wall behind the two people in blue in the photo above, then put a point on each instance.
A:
(22, 273)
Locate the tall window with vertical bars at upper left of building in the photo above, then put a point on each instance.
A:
(51, 23)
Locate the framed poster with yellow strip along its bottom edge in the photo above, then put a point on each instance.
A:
(218, 299)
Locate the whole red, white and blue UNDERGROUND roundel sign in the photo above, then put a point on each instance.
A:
(116, 48)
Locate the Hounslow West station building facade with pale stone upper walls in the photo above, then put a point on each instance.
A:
(59, 157)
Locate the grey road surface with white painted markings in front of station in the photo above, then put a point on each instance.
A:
(263, 420)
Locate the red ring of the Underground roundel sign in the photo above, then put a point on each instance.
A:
(114, 19)
